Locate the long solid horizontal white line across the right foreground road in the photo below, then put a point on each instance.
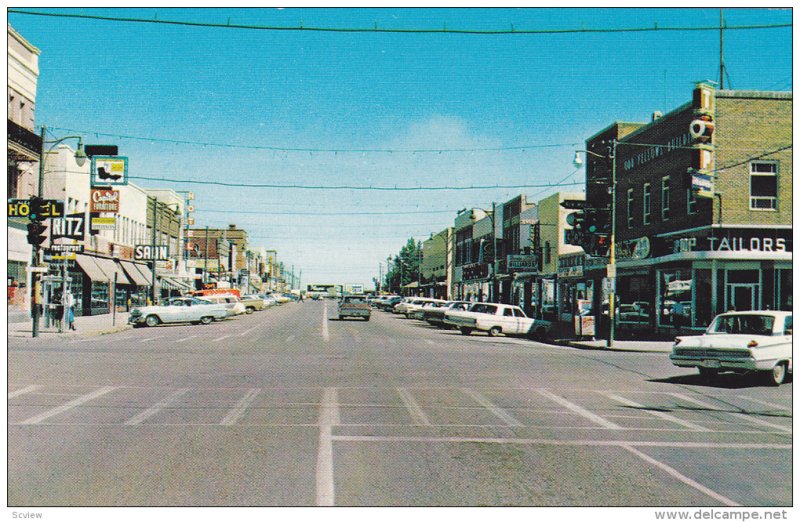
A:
(562, 442)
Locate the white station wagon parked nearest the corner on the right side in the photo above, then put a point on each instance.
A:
(496, 319)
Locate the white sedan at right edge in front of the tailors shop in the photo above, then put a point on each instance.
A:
(754, 341)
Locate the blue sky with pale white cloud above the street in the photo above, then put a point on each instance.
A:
(353, 91)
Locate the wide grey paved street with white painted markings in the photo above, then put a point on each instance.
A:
(289, 407)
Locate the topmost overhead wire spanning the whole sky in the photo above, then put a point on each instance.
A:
(512, 30)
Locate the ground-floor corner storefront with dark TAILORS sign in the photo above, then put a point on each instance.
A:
(680, 281)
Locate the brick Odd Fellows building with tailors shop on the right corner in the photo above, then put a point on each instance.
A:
(703, 206)
